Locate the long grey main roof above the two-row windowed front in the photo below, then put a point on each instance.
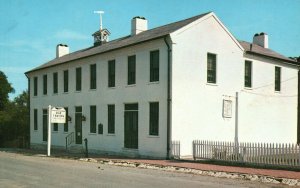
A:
(148, 35)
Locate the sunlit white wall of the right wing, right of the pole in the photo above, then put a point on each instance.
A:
(266, 115)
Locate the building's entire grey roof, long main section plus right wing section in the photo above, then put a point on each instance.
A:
(152, 34)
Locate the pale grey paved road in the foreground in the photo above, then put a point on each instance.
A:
(35, 171)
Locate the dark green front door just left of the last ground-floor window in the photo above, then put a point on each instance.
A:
(131, 126)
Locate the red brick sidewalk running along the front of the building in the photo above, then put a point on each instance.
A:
(169, 163)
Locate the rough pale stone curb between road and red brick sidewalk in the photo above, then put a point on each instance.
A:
(219, 174)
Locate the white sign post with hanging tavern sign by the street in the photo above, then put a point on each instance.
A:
(55, 115)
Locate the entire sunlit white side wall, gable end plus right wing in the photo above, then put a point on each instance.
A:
(197, 106)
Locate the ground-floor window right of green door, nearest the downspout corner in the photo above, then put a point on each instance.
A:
(154, 118)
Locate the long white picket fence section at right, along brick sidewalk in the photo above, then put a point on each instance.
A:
(257, 153)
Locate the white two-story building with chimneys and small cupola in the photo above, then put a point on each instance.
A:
(180, 81)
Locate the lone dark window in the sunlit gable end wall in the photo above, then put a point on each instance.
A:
(211, 68)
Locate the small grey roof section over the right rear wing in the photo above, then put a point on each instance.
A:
(255, 49)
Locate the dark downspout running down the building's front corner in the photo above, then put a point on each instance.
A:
(168, 100)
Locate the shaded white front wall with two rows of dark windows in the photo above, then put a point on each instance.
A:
(143, 92)
